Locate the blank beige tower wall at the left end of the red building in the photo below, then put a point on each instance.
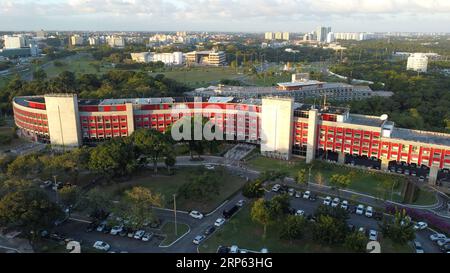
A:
(63, 120)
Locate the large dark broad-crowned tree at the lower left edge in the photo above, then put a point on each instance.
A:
(28, 210)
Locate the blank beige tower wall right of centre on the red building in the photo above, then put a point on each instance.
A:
(277, 127)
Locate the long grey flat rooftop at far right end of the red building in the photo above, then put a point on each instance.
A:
(421, 136)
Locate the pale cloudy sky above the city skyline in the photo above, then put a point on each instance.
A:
(226, 15)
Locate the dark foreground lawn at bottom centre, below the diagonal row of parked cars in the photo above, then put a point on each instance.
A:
(245, 233)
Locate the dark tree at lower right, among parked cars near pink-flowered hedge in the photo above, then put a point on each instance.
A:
(399, 229)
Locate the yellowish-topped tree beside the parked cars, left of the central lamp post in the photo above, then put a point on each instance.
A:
(139, 203)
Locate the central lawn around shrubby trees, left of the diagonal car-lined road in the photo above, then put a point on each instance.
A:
(168, 185)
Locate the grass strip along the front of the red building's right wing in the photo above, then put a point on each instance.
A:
(363, 181)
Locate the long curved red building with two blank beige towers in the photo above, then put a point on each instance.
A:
(281, 126)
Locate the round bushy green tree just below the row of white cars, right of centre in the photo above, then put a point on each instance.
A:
(329, 230)
